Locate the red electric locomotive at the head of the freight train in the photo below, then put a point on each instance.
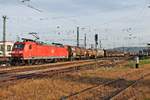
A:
(32, 52)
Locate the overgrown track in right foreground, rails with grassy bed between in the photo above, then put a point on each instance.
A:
(111, 90)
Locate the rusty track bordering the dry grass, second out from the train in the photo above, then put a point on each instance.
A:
(49, 71)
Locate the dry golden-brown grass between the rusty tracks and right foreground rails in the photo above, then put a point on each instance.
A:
(55, 88)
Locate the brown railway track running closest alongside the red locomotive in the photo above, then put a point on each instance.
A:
(51, 65)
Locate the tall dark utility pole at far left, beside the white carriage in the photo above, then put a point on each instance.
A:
(4, 35)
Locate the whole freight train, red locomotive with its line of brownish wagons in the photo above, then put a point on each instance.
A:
(32, 52)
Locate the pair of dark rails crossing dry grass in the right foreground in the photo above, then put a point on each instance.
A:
(116, 93)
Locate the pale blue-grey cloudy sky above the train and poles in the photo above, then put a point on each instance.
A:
(117, 22)
